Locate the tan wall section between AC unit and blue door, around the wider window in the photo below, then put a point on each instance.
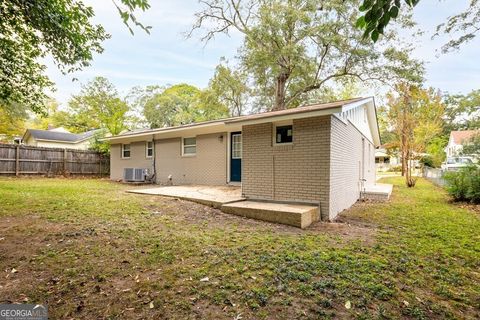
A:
(208, 166)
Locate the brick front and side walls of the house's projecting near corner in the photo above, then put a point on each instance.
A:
(322, 166)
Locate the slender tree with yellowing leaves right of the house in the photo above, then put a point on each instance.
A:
(415, 115)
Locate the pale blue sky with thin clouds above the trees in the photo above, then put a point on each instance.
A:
(167, 57)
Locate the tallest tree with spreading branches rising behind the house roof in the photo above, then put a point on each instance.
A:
(292, 48)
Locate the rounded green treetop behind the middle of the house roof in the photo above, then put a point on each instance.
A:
(182, 104)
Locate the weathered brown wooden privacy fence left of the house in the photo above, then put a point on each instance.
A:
(20, 160)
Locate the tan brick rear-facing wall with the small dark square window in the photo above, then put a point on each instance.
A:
(296, 172)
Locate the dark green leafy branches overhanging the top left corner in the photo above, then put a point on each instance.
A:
(62, 29)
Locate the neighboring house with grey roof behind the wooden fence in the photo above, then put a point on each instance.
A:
(58, 138)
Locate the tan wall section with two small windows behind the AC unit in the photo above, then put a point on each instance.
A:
(137, 159)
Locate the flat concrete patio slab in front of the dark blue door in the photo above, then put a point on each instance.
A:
(214, 196)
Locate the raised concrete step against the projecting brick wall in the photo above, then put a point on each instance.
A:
(297, 215)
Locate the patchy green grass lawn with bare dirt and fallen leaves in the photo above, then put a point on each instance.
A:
(89, 250)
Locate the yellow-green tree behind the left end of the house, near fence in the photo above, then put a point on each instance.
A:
(98, 105)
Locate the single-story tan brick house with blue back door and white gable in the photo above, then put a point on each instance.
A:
(319, 154)
